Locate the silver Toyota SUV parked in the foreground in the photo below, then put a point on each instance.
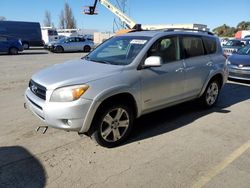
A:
(126, 77)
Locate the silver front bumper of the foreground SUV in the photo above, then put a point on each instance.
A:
(68, 116)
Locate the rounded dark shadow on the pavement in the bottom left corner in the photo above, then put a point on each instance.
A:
(19, 168)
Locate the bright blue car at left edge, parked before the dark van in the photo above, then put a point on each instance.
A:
(10, 45)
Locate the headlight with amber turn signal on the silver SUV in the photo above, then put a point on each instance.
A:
(68, 94)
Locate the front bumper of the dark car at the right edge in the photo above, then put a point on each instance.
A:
(239, 73)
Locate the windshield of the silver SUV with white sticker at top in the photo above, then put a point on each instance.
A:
(120, 50)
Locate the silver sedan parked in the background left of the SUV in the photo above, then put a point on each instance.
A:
(70, 44)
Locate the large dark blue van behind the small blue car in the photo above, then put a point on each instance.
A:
(28, 32)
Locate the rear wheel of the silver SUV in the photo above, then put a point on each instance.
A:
(211, 94)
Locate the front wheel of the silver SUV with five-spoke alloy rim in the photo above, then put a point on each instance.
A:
(113, 125)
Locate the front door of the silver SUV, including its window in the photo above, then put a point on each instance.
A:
(165, 84)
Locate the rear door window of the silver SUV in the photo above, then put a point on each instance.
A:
(192, 47)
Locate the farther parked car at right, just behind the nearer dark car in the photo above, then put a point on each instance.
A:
(233, 45)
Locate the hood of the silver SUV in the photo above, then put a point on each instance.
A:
(73, 73)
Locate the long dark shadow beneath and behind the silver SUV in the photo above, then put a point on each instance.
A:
(169, 119)
